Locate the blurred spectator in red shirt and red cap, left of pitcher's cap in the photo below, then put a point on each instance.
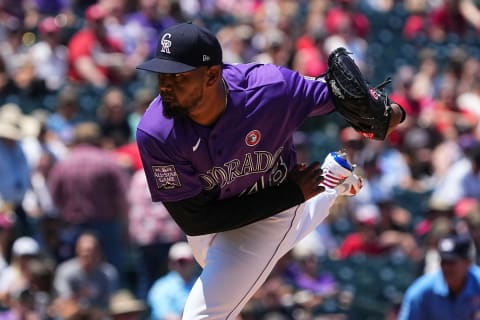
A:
(93, 57)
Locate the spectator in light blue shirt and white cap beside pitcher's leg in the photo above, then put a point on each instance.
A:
(167, 296)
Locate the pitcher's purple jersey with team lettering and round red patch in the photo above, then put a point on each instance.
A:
(250, 146)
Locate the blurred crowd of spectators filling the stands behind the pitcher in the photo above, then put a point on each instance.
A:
(79, 235)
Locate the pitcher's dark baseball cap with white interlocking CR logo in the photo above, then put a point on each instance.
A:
(184, 47)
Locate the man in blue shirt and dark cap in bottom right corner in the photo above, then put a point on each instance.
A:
(451, 293)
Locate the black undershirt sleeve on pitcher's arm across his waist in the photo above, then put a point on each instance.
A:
(204, 214)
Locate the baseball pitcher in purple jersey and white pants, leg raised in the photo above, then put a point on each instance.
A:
(216, 145)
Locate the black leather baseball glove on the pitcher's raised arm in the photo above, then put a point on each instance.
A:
(367, 109)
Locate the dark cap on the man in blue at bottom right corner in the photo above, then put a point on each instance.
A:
(455, 247)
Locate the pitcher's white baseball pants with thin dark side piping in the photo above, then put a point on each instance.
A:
(236, 263)
